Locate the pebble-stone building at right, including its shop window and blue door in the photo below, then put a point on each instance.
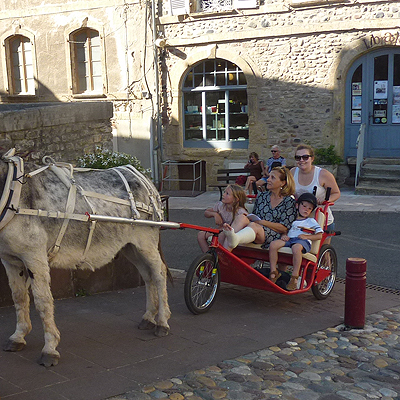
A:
(241, 77)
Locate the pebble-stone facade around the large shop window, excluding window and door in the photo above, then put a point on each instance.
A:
(295, 56)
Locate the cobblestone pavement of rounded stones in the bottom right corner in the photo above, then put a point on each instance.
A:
(333, 364)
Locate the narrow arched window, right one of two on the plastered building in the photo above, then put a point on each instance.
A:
(87, 62)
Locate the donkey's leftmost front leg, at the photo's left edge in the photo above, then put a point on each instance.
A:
(19, 287)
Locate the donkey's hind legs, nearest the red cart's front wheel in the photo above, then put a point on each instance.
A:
(147, 259)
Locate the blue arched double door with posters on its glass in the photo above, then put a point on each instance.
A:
(373, 98)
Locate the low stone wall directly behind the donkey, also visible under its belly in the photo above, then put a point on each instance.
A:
(64, 131)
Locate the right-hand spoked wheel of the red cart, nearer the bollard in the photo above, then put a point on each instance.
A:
(327, 260)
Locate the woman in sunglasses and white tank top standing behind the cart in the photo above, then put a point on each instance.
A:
(306, 176)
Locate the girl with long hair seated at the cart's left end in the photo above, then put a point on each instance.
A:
(224, 211)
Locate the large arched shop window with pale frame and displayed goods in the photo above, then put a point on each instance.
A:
(215, 105)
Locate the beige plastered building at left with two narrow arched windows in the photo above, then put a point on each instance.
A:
(79, 51)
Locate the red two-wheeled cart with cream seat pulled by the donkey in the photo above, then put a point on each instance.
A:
(245, 266)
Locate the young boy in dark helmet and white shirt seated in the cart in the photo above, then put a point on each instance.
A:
(304, 229)
